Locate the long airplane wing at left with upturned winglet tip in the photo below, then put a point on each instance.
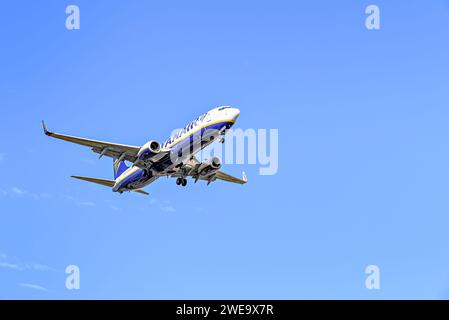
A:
(113, 150)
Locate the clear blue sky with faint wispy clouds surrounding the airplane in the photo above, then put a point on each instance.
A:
(363, 149)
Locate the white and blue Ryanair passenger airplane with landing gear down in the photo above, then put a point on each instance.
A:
(174, 158)
